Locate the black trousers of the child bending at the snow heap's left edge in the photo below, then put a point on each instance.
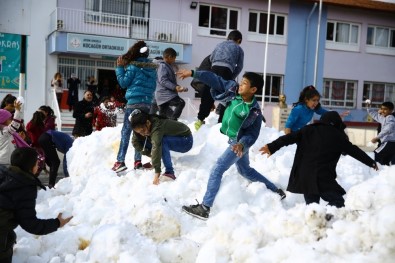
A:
(51, 156)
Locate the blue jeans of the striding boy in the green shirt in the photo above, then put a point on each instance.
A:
(243, 167)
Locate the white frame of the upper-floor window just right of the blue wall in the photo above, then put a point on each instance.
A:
(341, 45)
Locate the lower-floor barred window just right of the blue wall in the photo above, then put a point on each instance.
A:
(339, 93)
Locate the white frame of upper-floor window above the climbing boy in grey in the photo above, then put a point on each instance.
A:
(209, 30)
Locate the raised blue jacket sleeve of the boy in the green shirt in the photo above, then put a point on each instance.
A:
(221, 90)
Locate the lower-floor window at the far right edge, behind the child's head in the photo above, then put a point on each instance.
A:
(378, 93)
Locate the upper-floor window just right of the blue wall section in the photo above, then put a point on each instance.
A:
(342, 36)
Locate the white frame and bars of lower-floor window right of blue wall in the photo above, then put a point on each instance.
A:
(329, 100)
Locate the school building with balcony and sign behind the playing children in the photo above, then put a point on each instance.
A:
(345, 48)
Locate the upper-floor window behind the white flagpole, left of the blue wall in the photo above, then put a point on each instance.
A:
(257, 27)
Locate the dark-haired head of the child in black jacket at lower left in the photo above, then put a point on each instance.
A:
(25, 158)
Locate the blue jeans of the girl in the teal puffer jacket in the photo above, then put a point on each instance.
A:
(125, 135)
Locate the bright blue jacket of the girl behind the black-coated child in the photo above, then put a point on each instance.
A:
(301, 115)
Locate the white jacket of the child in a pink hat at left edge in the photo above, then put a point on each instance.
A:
(6, 139)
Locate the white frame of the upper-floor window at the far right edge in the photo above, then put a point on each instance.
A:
(377, 49)
